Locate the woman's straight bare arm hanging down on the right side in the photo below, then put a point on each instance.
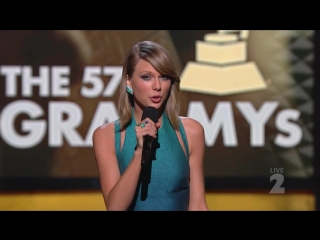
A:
(196, 142)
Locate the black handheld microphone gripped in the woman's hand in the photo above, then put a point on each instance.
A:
(152, 113)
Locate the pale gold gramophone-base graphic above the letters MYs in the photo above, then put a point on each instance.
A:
(221, 66)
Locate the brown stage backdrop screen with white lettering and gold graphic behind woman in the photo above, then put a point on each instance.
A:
(251, 91)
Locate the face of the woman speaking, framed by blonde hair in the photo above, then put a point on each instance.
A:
(149, 87)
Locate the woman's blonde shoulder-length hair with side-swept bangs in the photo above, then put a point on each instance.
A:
(160, 58)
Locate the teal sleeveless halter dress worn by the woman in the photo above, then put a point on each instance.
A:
(164, 182)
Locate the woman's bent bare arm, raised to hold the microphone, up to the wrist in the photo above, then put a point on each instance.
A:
(118, 191)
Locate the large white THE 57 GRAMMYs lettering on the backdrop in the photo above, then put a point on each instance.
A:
(64, 117)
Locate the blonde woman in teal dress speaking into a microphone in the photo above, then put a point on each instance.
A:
(173, 178)
